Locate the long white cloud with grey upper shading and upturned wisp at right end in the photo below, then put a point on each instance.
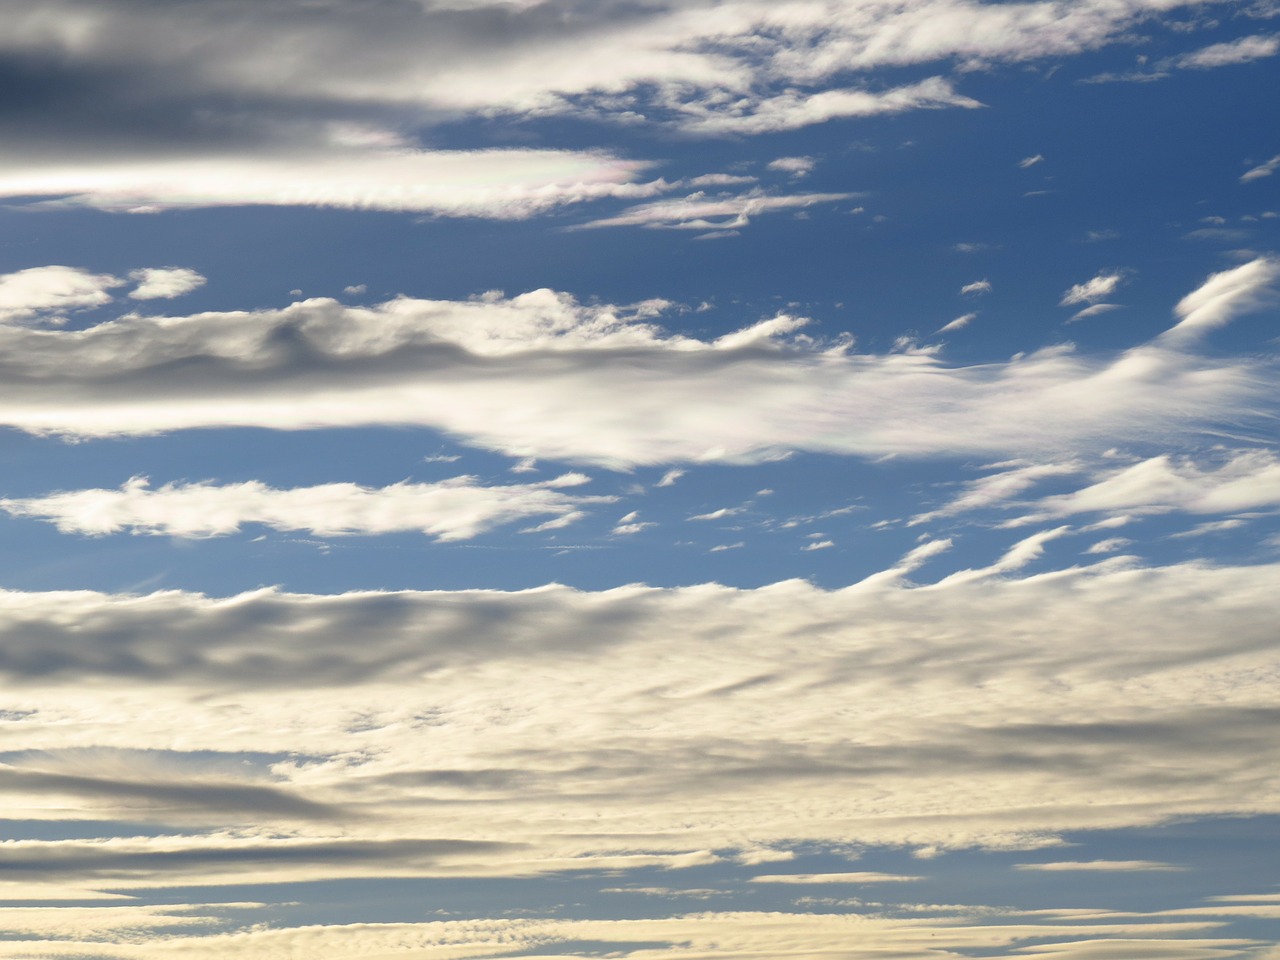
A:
(542, 376)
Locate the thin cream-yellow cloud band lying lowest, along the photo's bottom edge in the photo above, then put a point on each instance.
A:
(725, 936)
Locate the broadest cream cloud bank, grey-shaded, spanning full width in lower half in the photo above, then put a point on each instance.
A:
(397, 755)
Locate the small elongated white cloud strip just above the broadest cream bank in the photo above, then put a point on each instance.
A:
(459, 509)
